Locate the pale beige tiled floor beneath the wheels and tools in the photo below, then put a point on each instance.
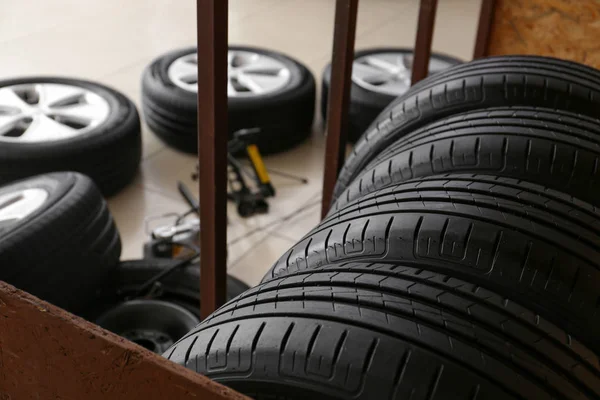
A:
(111, 41)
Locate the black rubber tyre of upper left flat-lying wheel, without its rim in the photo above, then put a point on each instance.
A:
(109, 154)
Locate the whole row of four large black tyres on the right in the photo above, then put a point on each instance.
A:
(460, 259)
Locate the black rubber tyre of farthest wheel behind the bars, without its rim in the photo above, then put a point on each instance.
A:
(365, 105)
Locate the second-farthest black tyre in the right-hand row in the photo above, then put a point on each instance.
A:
(557, 149)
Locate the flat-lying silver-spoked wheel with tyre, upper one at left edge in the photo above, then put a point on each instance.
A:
(57, 124)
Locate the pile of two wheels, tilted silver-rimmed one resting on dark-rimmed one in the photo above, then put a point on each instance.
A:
(59, 242)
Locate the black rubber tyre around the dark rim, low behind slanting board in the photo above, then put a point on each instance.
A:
(181, 287)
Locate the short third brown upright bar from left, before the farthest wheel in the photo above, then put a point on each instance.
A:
(423, 41)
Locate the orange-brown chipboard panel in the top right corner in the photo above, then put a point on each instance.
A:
(567, 29)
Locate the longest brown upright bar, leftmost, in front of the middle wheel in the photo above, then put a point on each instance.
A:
(212, 150)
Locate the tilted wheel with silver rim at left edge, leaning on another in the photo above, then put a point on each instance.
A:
(58, 240)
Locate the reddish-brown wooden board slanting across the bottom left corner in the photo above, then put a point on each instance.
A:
(47, 353)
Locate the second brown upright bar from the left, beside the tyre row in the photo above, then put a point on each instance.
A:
(339, 95)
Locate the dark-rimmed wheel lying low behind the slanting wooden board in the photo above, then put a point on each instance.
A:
(157, 320)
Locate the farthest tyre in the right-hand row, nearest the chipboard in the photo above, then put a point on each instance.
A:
(488, 82)
